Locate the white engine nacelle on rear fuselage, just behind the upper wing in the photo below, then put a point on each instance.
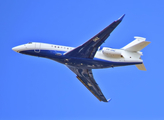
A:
(111, 52)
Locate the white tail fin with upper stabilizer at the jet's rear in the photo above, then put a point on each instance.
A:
(138, 44)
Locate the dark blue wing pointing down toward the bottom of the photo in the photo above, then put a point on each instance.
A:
(85, 76)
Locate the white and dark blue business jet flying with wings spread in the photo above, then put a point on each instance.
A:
(90, 55)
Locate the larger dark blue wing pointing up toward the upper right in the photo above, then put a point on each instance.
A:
(88, 49)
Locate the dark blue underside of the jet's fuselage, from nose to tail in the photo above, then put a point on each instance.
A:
(77, 61)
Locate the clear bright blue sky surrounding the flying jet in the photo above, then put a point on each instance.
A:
(33, 88)
